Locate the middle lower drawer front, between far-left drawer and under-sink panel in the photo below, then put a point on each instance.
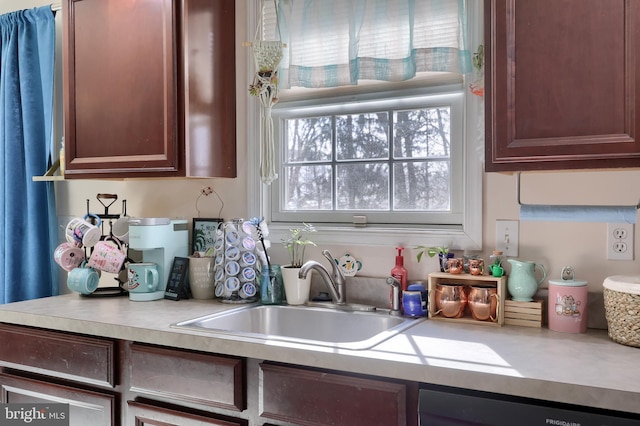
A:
(186, 376)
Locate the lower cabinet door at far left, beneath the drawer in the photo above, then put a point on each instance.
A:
(85, 407)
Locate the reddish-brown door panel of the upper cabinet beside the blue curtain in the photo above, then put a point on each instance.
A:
(121, 87)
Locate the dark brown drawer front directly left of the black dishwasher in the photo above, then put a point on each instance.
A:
(312, 397)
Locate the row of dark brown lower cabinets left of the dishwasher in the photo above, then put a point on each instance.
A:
(110, 382)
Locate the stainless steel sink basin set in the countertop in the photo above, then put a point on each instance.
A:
(307, 325)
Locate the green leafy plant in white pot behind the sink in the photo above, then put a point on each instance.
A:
(296, 289)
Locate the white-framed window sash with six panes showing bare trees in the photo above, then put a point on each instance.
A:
(393, 161)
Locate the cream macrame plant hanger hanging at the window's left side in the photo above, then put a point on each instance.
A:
(267, 55)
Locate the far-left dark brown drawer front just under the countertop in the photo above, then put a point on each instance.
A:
(64, 355)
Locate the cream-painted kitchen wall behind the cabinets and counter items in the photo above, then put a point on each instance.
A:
(555, 245)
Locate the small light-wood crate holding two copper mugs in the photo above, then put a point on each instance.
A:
(499, 283)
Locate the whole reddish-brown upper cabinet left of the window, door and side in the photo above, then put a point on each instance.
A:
(149, 88)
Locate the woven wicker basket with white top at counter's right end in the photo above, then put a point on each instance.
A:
(622, 310)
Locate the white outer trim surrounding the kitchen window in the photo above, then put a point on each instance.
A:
(468, 236)
